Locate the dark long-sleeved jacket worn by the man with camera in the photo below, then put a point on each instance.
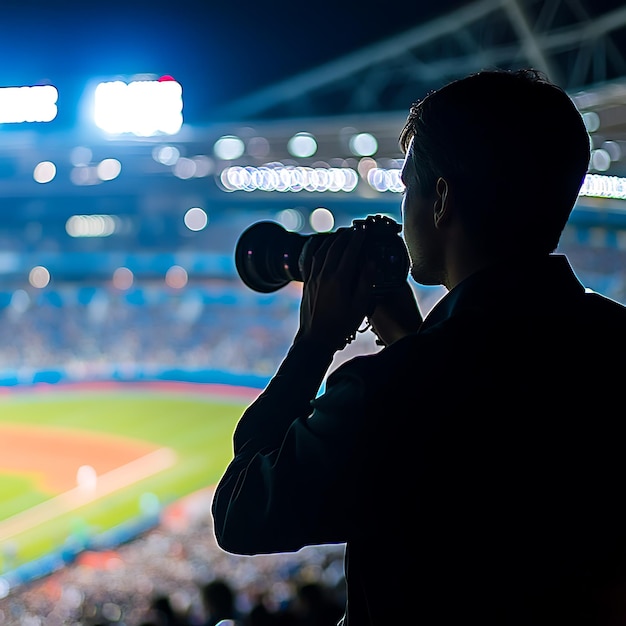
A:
(474, 470)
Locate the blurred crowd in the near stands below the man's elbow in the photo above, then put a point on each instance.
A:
(176, 574)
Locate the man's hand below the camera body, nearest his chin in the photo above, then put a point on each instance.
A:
(395, 315)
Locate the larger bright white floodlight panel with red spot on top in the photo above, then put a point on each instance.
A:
(141, 107)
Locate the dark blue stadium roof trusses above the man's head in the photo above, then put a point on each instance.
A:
(580, 45)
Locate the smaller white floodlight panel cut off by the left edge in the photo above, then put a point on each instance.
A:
(28, 104)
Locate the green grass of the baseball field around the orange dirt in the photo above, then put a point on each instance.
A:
(196, 424)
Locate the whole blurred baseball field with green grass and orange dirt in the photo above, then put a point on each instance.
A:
(79, 460)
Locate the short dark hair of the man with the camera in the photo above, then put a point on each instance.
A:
(485, 134)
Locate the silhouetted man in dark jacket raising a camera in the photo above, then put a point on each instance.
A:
(473, 466)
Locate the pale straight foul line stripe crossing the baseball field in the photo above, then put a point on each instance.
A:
(104, 484)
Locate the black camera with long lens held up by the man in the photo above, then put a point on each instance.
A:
(268, 256)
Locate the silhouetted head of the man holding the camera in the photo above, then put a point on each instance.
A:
(494, 165)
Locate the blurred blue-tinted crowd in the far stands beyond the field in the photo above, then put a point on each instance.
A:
(90, 330)
